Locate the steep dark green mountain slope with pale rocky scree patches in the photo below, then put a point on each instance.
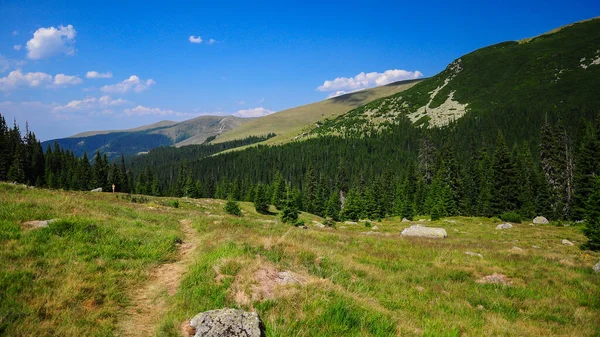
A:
(556, 71)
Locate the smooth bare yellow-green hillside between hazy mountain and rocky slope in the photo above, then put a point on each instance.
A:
(290, 123)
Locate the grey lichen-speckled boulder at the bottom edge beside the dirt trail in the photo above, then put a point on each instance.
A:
(227, 323)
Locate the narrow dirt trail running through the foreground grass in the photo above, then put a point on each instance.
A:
(149, 303)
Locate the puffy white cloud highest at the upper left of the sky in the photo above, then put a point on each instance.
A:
(47, 42)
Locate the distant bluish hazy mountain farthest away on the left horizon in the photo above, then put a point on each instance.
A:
(145, 138)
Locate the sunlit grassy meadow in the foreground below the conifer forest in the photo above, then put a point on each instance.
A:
(99, 270)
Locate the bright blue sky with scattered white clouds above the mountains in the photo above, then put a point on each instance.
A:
(254, 58)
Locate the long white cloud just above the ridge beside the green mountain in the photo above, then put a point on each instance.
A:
(368, 80)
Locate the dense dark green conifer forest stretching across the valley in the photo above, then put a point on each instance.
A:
(406, 171)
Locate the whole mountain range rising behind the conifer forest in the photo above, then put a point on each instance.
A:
(556, 72)
